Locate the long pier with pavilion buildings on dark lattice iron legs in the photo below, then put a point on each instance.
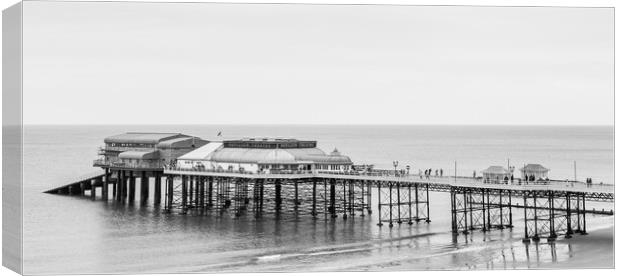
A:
(277, 177)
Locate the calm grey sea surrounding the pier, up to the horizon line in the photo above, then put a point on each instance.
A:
(65, 234)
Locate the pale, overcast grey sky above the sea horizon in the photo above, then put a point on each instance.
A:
(196, 63)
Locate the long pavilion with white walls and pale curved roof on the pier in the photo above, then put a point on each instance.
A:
(259, 155)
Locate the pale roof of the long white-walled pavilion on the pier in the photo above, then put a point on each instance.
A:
(274, 151)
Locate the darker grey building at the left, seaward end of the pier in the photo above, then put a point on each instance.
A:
(146, 149)
